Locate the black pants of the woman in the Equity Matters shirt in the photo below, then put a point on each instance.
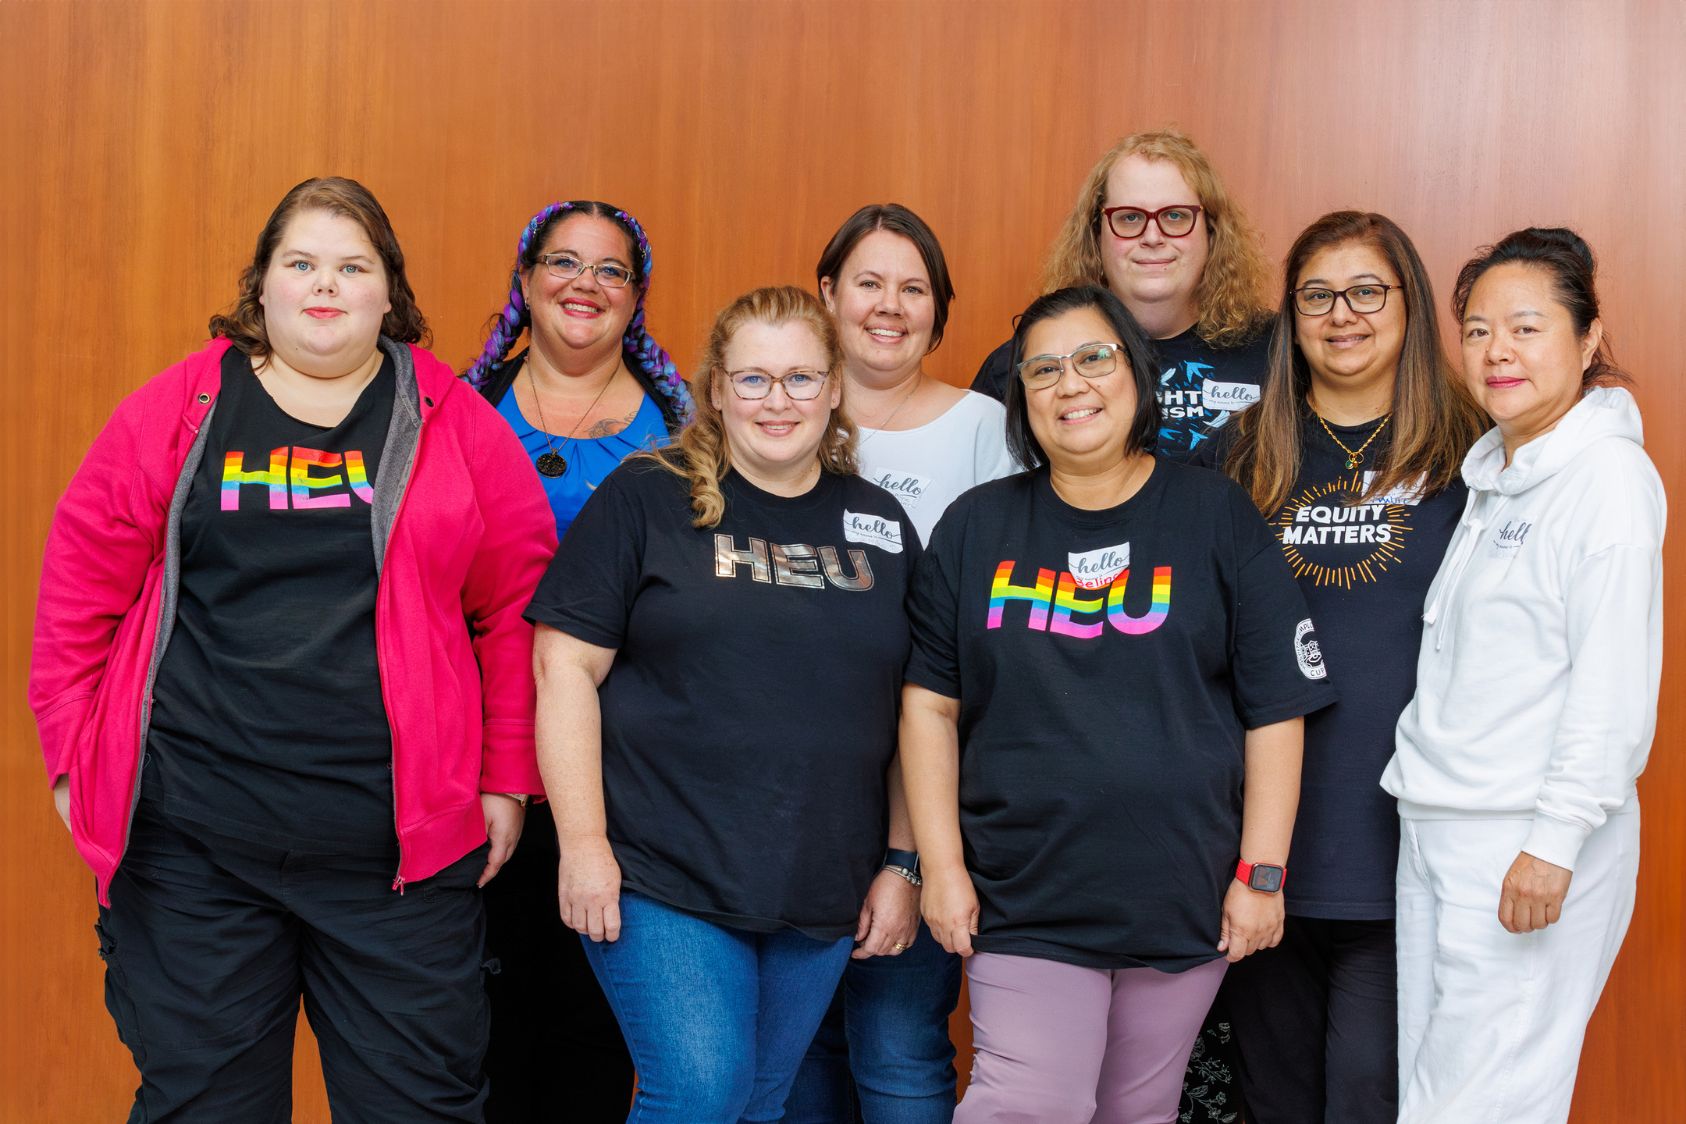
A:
(1316, 1022)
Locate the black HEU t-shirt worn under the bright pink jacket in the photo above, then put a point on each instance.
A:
(267, 714)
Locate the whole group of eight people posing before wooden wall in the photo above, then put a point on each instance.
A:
(839, 680)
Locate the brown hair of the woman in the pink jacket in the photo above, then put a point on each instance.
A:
(350, 200)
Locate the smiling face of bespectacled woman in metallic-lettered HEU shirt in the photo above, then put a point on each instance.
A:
(776, 439)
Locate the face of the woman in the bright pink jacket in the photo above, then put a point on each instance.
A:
(325, 296)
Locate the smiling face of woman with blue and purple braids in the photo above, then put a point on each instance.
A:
(579, 323)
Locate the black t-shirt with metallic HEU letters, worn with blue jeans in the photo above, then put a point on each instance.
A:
(749, 717)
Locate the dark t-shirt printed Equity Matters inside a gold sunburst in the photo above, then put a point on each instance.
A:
(1365, 570)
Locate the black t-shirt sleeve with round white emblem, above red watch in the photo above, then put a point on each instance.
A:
(1275, 660)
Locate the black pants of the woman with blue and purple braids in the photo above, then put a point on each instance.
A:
(557, 1052)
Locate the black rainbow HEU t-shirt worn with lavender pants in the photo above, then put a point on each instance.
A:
(1109, 666)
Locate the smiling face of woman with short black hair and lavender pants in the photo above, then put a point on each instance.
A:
(1080, 424)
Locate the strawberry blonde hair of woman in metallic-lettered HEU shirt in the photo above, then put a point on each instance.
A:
(702, 452)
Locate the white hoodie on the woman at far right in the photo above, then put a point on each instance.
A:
(1537, 687)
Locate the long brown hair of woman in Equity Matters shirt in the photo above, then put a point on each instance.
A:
(1434, 420)
